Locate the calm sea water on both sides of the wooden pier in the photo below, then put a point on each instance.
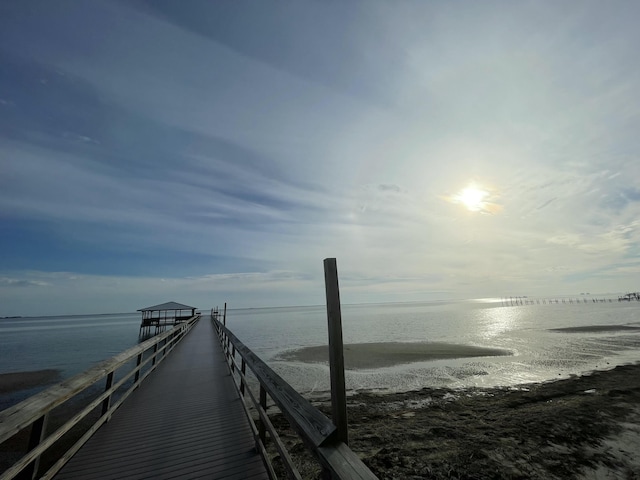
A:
(72, 344)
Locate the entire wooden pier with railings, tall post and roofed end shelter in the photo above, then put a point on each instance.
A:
(177, 405)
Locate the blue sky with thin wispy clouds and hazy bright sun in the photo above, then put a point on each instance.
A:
(209, 152)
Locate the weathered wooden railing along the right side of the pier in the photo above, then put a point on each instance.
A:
(317, 431)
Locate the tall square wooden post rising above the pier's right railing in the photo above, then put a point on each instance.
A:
(336, 354)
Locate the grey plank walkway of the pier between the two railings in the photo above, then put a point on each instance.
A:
(185, 421)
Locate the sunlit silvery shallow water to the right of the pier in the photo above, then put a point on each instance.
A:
(539, 354)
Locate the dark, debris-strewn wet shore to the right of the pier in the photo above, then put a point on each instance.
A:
(584, 427)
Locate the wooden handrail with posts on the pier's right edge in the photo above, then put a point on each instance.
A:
(316, 430)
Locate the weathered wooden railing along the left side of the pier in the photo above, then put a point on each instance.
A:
(122, 374)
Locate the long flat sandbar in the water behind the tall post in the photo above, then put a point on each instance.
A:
(387, 354)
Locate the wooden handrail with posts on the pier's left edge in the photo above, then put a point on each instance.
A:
(35, 409)
